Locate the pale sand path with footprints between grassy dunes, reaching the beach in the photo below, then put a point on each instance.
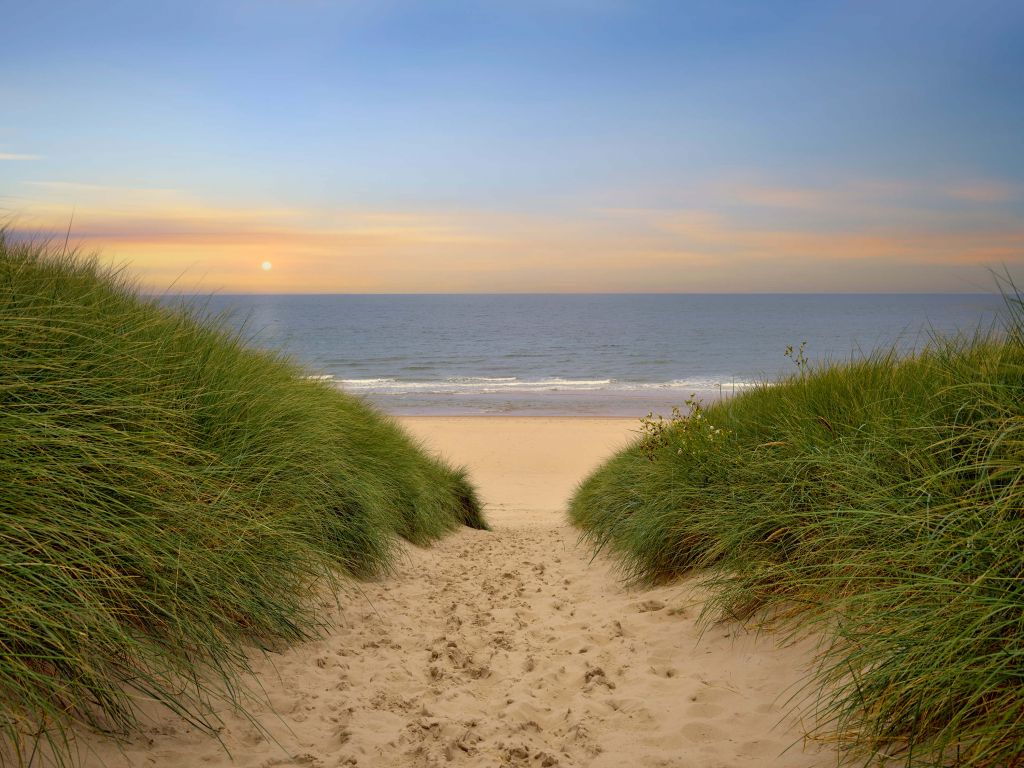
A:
(510, 649)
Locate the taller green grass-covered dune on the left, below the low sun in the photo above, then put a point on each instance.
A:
(170, 498)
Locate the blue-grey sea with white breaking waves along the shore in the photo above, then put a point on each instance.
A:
(571, 355)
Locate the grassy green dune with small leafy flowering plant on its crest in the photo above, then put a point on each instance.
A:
(880, 502)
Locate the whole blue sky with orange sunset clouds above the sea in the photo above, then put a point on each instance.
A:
(521, 146)
